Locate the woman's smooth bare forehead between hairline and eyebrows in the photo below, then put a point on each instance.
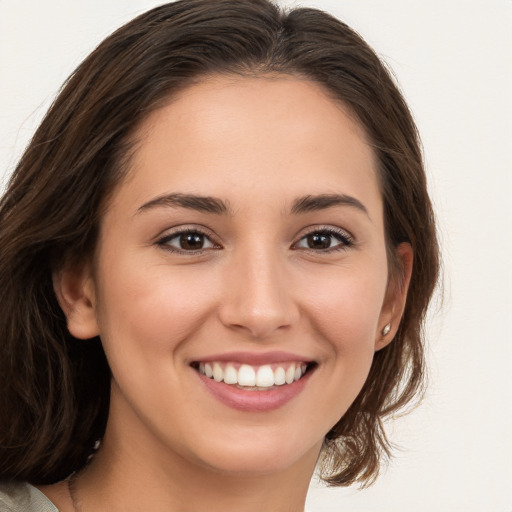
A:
(275, 136)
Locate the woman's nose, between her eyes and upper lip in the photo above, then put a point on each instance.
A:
(258, 295)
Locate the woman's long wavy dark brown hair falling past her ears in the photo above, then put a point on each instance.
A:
(55, 389)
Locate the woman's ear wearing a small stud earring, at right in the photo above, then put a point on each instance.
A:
(396, 296)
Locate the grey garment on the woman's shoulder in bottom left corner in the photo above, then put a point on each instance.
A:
(23, 497)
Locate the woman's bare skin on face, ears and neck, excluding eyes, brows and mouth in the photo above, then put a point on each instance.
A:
(257, 144)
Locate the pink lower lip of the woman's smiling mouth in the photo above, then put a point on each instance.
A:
(254, 401)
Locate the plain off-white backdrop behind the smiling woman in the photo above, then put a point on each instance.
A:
(453, 61)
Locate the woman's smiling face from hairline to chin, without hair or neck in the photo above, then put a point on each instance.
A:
(247, 241)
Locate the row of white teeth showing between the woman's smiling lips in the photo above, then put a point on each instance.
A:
(254, 378)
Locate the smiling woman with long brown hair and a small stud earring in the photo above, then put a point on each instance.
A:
(217, 253)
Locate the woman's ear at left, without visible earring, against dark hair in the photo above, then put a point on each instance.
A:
(75, 292)
